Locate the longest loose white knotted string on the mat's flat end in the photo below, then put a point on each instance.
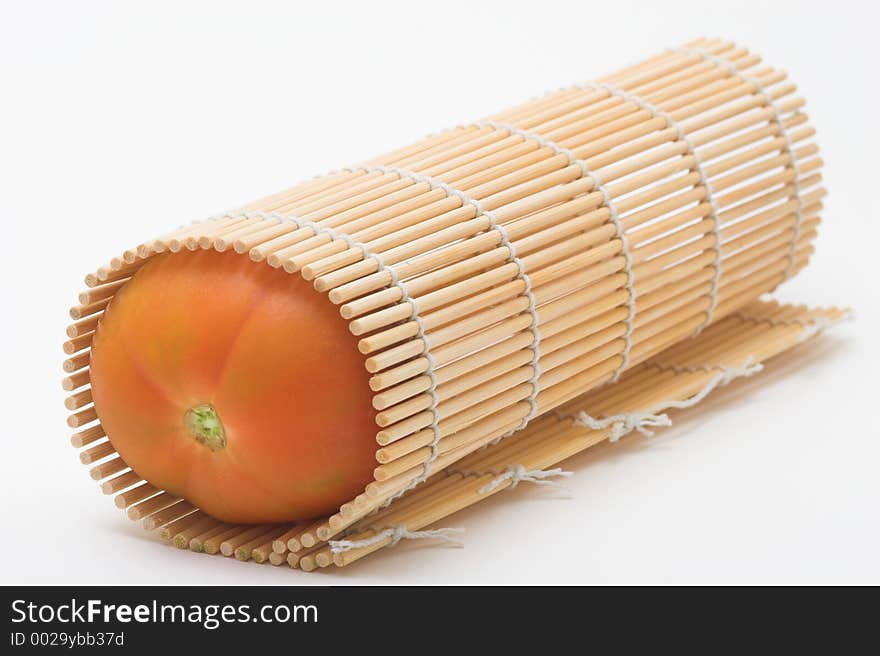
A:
(626, 422)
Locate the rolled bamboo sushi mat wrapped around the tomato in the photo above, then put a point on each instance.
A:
(501, 270)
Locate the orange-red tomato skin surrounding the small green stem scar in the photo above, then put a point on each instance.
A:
(266, 350)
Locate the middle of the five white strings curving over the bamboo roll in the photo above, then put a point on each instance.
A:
(543, 142)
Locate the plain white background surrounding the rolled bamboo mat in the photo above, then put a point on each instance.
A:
(121, 120)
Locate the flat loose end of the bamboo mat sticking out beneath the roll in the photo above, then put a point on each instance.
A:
(759, 332)
